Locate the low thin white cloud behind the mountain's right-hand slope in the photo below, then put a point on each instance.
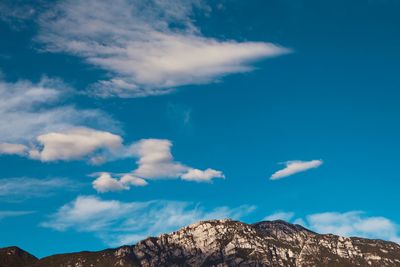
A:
(351, 223)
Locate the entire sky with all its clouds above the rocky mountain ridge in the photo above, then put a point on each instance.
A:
(124, 121)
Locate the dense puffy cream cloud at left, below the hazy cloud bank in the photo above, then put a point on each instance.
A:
(75, 143)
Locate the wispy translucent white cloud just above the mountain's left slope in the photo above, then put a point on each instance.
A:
(118, 223)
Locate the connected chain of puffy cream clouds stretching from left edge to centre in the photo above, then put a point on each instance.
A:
(155, 160)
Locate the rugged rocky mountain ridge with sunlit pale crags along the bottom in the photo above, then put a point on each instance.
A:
(227, 243)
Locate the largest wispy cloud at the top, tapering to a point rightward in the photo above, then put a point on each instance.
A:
(147, 47)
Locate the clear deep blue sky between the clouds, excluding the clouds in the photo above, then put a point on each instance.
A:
(335, 97)
